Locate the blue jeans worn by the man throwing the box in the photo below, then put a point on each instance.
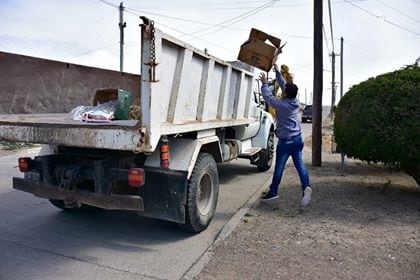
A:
(285, 148)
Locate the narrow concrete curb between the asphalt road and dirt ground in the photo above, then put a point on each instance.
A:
(226, 230)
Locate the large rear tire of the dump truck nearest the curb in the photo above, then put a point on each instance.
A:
(202, 194)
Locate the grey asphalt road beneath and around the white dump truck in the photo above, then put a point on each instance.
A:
(39, 241)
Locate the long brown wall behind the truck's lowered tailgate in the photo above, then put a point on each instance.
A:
(34, 85)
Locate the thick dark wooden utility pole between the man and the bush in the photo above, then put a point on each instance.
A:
(318, 84)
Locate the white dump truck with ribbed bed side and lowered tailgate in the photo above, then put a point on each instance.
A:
(196, 111)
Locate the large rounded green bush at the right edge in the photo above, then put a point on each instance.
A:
(378, 120)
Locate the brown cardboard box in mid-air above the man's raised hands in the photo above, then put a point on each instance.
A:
(259, 53)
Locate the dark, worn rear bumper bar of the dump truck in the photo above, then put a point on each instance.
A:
(110, 202)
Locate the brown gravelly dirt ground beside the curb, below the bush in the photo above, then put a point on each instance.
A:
(363, 225)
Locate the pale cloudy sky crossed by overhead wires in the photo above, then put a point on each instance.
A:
(380, 36)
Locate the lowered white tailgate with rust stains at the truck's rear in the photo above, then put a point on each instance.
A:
(57, 129)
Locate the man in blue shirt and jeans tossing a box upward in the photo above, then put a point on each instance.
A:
(288, 132)
